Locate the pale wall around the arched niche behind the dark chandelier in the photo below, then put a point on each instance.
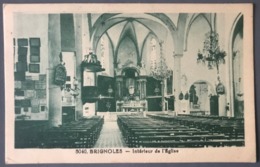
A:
(194, 71)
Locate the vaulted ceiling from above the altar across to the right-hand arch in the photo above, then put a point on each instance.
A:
(138, 26)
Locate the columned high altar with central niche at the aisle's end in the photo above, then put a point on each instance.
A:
(131, 89)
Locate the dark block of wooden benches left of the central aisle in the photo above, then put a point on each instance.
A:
(78, 134)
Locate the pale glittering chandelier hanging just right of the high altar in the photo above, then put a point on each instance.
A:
(160, 70)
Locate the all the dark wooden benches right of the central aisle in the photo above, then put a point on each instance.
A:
(167, 131)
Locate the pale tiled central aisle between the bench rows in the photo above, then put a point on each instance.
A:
(110, 136)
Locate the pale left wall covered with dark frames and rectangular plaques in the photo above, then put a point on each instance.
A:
(34, 84)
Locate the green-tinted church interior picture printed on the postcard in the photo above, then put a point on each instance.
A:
(111, 80)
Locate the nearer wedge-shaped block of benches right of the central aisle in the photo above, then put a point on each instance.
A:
(149, 132)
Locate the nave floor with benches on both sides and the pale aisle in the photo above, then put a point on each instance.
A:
(135, 130)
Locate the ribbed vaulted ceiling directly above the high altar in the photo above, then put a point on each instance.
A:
(135, 26)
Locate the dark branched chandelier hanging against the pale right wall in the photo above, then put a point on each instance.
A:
(211, 51)
